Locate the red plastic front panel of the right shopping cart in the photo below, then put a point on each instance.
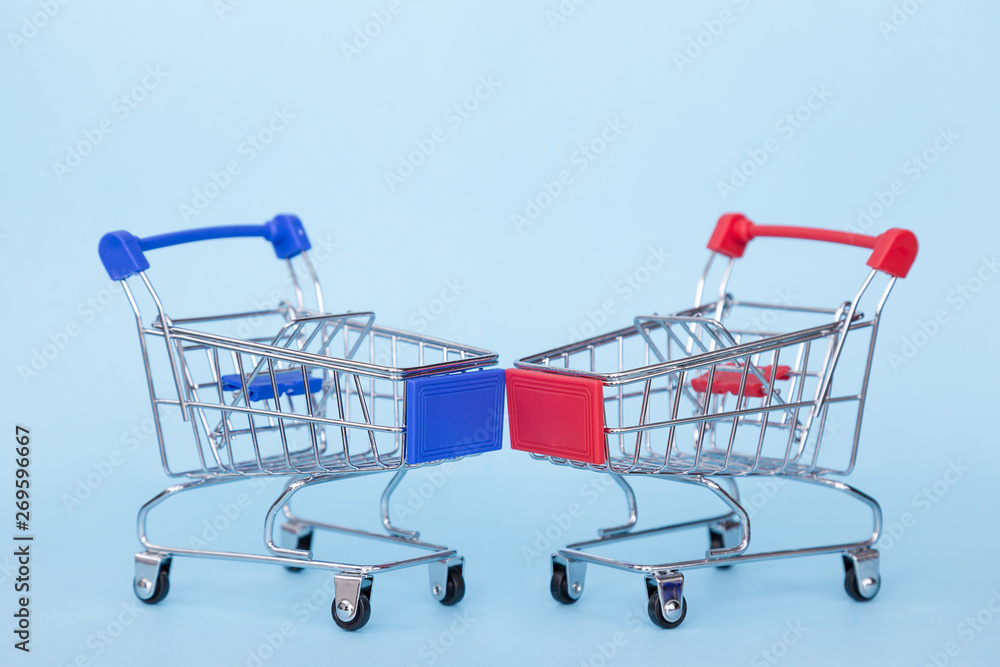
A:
(556, 415)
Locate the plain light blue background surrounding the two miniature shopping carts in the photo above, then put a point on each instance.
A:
(394, 251)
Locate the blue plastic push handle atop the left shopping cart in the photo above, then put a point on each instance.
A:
(122, 252)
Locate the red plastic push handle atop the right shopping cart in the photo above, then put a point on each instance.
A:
(893, 251)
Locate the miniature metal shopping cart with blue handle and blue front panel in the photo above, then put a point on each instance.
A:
(312, 397)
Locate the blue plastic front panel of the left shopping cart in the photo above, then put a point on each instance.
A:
(448, 416)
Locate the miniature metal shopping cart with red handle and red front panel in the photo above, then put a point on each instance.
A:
(706, 396)
